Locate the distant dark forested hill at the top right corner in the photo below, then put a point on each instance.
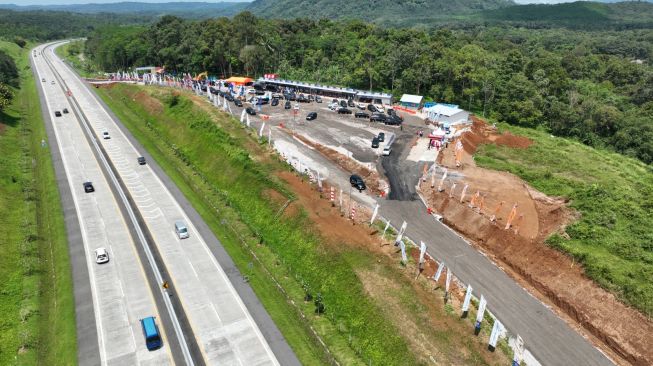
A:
(579, 15)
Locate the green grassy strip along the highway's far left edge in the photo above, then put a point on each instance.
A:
(37, 322)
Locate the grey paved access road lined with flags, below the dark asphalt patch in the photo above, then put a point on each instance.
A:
(545, 335)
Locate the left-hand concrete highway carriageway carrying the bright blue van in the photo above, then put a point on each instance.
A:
(119, 291)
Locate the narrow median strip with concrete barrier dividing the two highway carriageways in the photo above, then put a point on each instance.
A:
(174, 315)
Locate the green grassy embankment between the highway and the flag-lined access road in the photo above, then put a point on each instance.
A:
(233, 203)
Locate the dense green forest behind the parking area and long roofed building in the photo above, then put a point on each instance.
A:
(594, 86)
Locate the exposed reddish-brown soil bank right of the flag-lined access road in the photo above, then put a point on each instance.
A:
(623, 333)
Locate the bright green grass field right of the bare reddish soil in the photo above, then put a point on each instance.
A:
(614, 195)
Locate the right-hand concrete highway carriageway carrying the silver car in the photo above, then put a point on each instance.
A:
(216, 320)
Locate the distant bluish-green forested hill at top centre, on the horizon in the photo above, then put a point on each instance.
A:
(392, 12)
